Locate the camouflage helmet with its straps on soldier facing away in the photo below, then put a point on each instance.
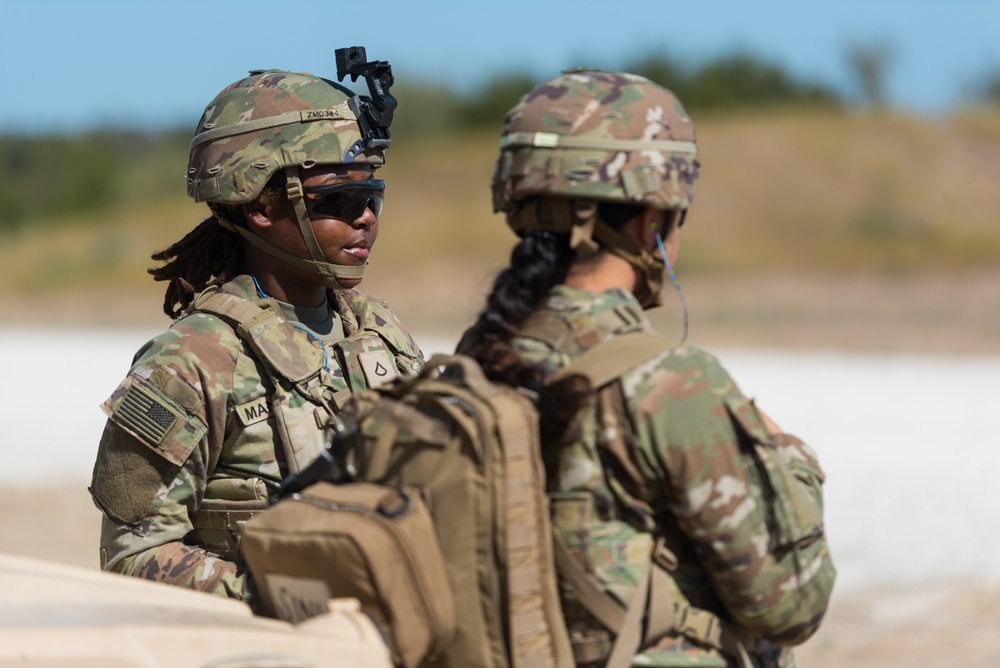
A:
(591, 136)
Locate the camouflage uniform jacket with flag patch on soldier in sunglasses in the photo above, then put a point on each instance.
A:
(202, 427)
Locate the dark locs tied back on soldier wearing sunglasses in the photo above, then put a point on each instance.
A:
(209, 254)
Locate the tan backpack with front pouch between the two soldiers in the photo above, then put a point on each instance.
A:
(437, 521)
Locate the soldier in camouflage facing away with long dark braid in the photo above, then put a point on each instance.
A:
(670, 463)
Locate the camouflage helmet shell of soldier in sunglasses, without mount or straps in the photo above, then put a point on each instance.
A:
(234, 169)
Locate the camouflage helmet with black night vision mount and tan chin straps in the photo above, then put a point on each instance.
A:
(276, 120)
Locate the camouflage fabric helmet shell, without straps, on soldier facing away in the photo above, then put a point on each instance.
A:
(608, 113)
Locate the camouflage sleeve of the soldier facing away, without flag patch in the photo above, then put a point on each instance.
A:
(748, 500)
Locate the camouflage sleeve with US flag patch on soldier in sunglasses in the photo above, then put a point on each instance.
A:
(163, 431)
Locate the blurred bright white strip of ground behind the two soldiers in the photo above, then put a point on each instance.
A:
(907, 442)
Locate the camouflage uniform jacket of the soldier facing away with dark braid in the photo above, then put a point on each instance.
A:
(676, 453)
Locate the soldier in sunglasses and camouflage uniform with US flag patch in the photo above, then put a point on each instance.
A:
(268, 334)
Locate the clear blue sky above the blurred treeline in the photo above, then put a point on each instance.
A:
(71, 65)
